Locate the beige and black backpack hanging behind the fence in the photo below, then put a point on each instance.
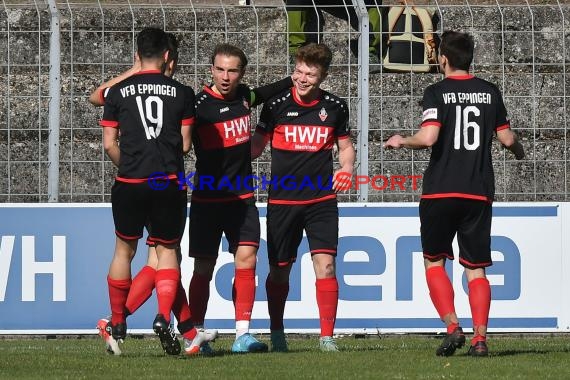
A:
(410, 43)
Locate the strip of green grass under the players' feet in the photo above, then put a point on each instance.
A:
(392, 357)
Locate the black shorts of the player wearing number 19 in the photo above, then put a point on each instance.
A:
(136, 204)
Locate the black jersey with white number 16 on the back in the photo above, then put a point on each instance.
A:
(469, 111)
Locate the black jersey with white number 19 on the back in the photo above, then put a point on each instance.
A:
(149, 109)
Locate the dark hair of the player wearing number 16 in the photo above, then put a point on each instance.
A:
(458, 48)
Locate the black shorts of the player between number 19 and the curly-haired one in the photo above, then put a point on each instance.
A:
(238, 220)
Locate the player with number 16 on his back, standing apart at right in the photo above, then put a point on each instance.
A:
(461, 115)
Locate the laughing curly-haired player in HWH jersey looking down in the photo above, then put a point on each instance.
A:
(303, 123)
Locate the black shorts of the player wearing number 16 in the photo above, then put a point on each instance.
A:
(470, 219)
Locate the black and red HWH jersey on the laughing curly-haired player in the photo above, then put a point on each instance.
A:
(302, 137)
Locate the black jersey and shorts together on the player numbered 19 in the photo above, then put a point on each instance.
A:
(149, 109)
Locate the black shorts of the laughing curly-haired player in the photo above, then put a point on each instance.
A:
(285, 225)
